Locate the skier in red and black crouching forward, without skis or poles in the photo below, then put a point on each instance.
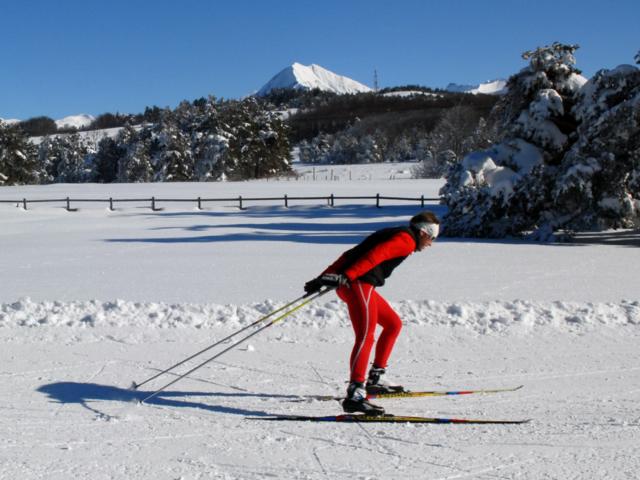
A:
(355, 275)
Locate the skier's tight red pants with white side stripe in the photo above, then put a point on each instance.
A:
(366, 310)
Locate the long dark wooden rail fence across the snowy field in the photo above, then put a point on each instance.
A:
(200, 201)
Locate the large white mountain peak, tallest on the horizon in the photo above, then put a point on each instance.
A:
(308, 77)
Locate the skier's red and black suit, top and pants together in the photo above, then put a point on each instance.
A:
(366, 266)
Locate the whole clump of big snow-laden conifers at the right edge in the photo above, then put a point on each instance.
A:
(567, 156)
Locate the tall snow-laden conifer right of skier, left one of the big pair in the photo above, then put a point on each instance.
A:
(496, 192)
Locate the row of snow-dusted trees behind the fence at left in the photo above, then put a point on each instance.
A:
(204, 140)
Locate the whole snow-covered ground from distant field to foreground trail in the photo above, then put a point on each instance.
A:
(92, 300)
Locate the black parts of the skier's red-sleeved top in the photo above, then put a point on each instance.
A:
(377, 275)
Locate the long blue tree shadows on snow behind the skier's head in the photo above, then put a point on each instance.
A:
(313, 225)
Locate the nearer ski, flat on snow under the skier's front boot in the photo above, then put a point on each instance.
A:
(386, 418)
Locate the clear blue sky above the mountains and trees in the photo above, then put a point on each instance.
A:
(67, 57)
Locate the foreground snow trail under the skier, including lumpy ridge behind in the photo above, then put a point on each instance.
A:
(69, 412)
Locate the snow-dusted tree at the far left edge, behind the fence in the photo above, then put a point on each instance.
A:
(18, 157)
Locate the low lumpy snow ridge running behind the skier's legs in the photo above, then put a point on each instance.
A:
(481, 317)
